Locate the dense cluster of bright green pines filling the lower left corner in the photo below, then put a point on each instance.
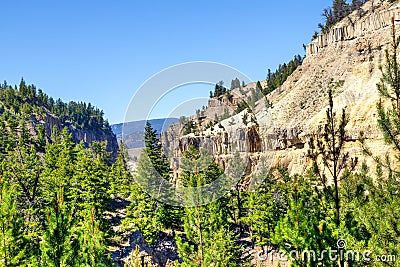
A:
(47, 193)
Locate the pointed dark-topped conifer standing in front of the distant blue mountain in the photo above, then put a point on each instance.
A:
(146, 213)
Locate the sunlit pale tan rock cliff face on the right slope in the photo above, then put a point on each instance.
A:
(347, 59)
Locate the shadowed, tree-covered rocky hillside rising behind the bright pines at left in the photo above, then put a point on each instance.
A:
(25, 106)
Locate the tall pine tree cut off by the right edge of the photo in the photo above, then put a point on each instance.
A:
(379, 210)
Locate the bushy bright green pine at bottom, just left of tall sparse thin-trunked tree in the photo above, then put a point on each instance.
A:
(306, 226)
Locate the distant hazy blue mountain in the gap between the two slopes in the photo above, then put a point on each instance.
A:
(134, 130)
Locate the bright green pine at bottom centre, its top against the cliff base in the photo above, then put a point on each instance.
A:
(209, 240)
